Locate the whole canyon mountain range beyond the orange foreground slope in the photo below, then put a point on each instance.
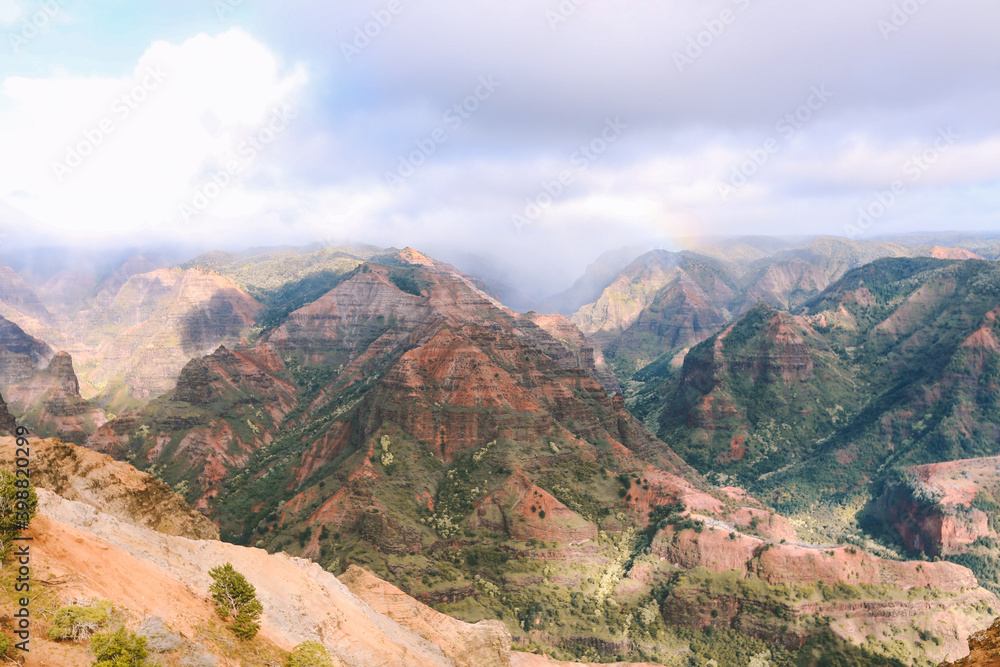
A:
(794, 420)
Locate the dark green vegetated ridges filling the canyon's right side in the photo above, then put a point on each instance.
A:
(882, 381)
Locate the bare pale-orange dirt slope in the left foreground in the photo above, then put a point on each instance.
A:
(149, 573)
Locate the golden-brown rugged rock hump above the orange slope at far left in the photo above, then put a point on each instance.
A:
(116, 488)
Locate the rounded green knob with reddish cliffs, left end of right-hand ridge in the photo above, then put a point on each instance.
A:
(758, 419)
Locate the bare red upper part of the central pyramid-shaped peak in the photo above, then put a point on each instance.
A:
(495, 385)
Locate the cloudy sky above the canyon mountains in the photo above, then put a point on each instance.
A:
(533, 134)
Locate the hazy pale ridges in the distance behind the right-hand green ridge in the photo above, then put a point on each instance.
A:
(663, 303)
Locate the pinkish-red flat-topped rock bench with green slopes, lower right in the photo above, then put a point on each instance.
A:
(776, 591)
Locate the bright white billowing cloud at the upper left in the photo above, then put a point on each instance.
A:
(88, 156)
